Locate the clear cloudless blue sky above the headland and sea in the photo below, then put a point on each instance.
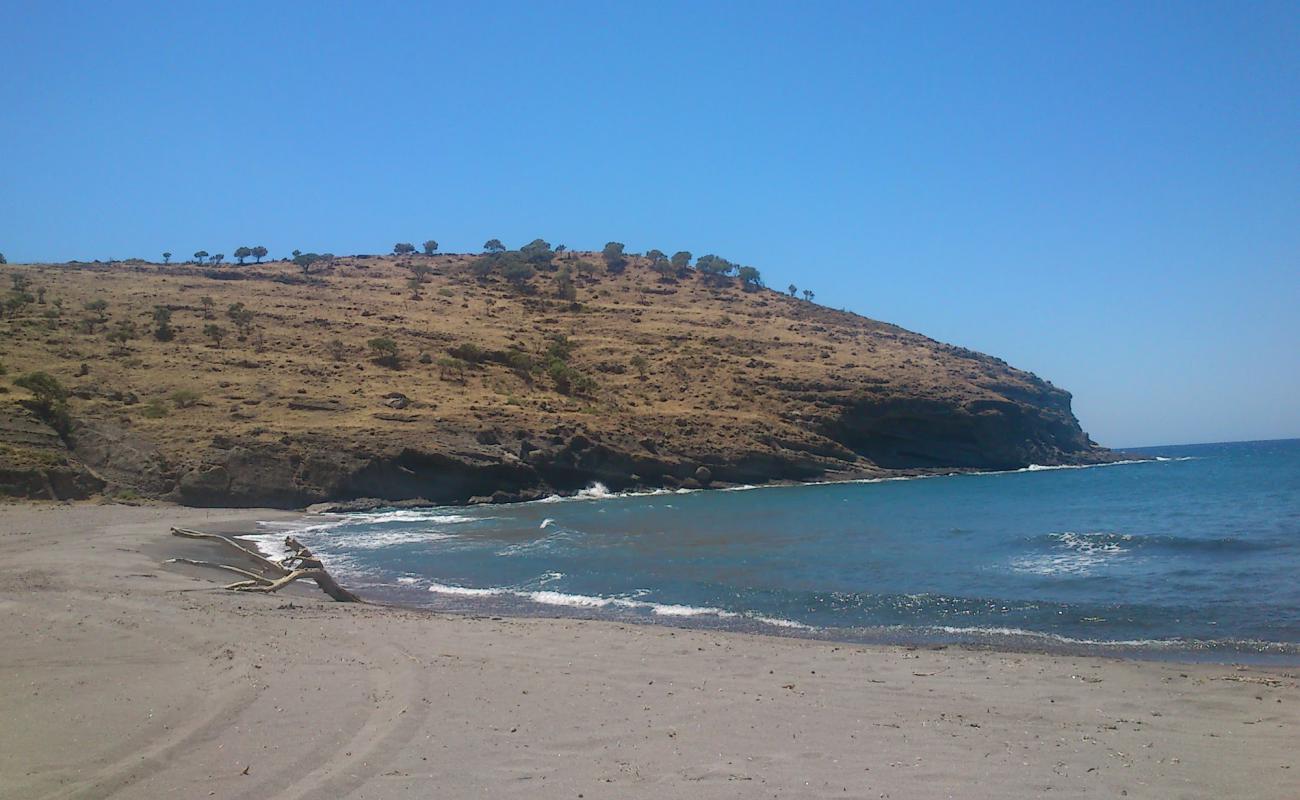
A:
(1106, 194)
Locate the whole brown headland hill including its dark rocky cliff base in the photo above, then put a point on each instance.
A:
(647, 378)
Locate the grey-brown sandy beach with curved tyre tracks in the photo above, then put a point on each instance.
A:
(125, 677)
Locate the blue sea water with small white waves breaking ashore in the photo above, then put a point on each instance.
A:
(1194, 553)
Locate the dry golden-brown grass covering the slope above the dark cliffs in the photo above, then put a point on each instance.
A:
(725, 371)
